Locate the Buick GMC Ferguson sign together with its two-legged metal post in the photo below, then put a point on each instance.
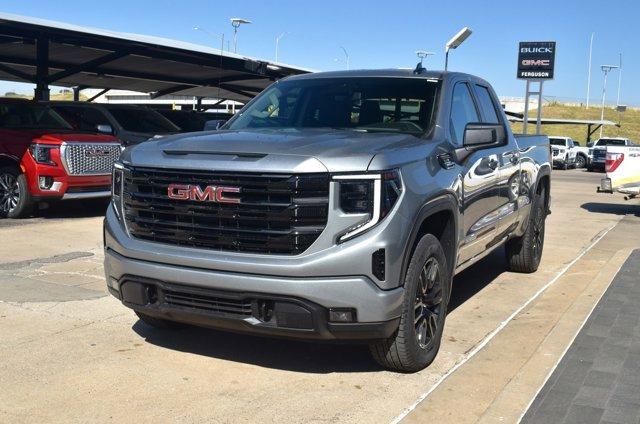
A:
(536, 62)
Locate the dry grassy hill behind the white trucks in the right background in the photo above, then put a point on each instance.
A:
(629, 120)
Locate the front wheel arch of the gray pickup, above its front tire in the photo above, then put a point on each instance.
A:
(438, 216)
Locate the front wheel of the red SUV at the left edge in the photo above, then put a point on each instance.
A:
(15, 199)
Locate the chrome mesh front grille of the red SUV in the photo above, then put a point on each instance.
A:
(89, 158)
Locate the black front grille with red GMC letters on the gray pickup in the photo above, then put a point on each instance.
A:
(276, 213)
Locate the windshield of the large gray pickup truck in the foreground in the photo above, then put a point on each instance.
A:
(404, 105)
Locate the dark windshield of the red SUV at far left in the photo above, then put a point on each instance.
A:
(30, 116)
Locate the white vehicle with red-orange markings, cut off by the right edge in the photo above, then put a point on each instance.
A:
(622, 165)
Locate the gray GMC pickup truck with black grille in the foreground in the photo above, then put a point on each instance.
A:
(336, 206)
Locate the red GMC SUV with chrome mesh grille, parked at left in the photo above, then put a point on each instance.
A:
(42, 158)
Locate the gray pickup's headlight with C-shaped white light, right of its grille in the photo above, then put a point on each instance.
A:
(371, 195)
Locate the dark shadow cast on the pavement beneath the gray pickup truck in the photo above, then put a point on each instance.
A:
(302, 356)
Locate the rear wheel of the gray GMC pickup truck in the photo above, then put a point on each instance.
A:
(524, 253)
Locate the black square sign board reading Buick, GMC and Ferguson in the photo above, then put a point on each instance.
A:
(536, 60)
